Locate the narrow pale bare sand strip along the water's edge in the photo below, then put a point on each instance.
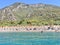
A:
(30, 31)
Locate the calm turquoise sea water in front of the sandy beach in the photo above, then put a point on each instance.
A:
(30, 38)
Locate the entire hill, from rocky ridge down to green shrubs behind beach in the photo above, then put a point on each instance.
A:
(25, 14)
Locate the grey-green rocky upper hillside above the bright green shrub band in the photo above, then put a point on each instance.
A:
(21, 11)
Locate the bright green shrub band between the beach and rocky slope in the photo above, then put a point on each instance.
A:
(29, 22)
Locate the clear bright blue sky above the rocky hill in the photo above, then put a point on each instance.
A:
(4, 3)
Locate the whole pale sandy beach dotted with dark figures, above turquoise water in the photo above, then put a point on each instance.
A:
(30, 29)
